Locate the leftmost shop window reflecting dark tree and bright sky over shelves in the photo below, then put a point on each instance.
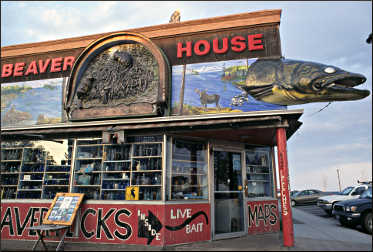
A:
(35, 169)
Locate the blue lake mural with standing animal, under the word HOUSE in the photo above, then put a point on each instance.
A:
(214, 87)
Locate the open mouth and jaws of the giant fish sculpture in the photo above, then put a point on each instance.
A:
(342, 84)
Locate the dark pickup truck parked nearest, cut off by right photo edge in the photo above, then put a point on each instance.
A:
(356, 211)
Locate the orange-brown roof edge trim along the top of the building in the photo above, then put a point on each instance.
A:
(162, 30)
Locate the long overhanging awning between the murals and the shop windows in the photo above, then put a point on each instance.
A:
(257, 127)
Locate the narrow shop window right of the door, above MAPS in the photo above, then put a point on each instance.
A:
(259, 172)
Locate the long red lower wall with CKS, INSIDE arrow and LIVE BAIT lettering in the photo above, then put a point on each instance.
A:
(116, 223)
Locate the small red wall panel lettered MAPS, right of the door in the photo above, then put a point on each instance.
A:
(263, 217)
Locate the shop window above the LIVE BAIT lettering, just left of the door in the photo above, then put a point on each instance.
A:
(187, 170)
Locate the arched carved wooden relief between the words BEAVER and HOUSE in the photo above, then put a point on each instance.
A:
(117, 76)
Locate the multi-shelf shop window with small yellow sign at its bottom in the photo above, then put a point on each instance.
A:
(110, 171)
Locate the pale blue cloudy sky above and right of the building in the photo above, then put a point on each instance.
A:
(338, 137)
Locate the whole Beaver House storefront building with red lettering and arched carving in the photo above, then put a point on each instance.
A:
(154, 125)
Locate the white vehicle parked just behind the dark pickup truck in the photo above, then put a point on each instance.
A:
(351, 192)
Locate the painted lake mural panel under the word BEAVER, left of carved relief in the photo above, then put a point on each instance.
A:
(31, 102)
